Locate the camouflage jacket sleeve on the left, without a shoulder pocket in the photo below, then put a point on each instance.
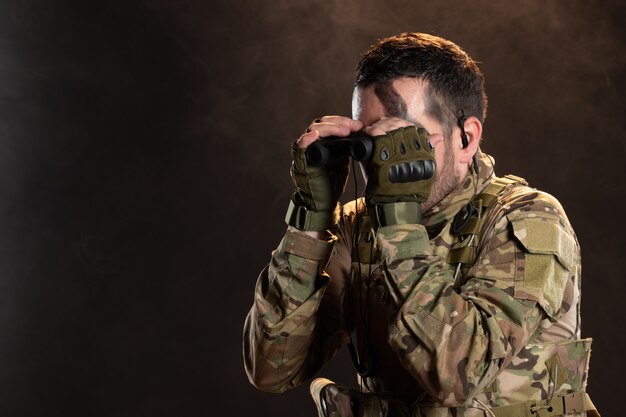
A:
(292, 328)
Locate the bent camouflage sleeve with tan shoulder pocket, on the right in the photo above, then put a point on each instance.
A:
(455, 341)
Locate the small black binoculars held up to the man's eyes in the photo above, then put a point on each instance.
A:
(328, 151)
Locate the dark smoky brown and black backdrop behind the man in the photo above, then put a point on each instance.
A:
(144, 178)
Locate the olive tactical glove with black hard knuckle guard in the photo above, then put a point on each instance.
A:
(400, 175)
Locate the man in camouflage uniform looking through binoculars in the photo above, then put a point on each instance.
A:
(463, 289)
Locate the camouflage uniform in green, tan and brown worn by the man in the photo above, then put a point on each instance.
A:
(509, 334)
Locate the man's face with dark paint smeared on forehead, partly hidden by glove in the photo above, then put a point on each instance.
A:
(408, 95)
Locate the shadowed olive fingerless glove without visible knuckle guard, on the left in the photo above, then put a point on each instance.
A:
(318, 188)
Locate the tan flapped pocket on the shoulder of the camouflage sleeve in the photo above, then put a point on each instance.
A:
(548, 261)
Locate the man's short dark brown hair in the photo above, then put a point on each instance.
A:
(455, 84)
